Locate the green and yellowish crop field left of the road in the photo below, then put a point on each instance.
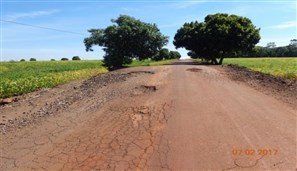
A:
(23, 77)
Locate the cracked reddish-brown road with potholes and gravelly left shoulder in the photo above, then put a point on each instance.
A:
(174, 117)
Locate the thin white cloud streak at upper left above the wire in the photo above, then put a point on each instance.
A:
(13, 17)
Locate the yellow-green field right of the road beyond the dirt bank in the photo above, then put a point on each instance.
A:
(281, 67)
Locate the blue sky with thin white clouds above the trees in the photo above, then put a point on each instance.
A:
(70, 21)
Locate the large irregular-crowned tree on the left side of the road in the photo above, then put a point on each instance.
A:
(126, 39)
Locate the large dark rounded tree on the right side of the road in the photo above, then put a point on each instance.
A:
(218, 36)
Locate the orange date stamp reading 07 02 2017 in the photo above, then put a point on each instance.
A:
(254, 152)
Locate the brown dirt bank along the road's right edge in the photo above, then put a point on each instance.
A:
(282, 89)
